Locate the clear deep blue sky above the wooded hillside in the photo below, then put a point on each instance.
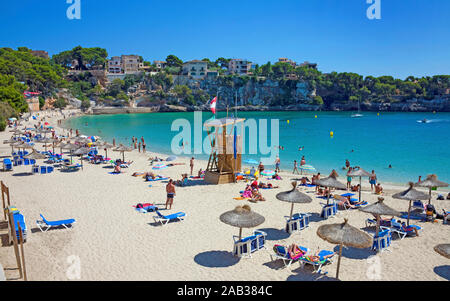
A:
(412, 37)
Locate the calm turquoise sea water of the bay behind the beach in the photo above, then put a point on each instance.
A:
(412, 148)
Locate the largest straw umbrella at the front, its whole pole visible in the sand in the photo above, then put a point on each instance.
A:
(344, 235)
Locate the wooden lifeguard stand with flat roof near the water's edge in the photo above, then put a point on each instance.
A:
(222, 166)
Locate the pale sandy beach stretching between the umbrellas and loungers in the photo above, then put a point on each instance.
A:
(112, 241)
